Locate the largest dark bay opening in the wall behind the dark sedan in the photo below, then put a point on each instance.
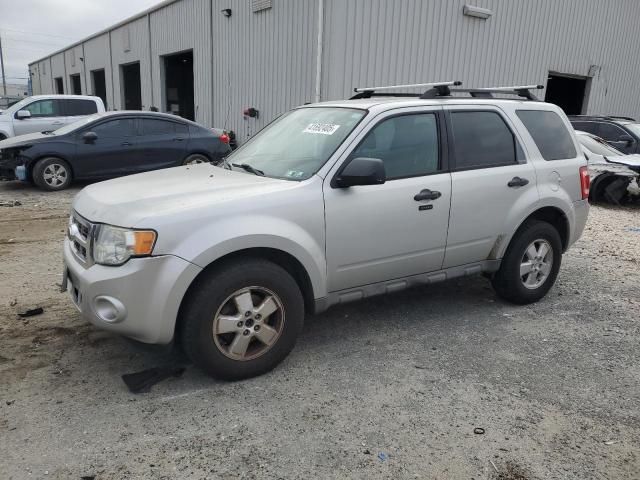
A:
(178, 83)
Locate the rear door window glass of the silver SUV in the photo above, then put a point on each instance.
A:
(482, 139)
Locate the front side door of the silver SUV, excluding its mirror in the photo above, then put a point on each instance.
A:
(376, 233)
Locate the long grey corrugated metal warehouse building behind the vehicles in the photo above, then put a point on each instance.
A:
(211, 59)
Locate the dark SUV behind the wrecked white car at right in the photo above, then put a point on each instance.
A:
(622, 133)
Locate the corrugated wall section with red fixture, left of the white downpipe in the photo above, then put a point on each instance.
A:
(264, 60)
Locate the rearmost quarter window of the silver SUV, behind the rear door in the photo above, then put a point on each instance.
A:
(549, 132)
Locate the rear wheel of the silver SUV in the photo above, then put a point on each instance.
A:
(542, 264)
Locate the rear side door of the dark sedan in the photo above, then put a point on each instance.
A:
(162, 143)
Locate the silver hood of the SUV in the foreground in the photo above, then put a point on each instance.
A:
(133, 200)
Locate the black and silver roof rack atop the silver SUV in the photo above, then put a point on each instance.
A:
(441, 89)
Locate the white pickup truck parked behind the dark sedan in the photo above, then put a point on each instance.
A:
(42, 113)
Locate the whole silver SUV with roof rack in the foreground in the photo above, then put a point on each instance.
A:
(332, 202)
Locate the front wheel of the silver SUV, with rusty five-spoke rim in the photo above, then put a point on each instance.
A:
(213, 303)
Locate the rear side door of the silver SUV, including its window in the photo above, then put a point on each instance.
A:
(493, 185)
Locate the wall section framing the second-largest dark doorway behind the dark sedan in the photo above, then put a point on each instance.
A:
(129, 44)
